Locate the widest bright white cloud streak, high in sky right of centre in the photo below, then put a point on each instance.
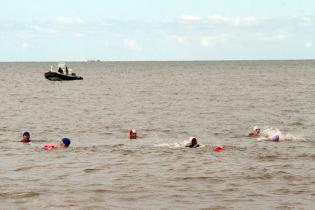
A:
(236, 21)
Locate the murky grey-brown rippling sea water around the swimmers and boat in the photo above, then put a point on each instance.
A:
(167, 102)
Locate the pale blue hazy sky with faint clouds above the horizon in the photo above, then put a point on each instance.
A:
(144, 30)
